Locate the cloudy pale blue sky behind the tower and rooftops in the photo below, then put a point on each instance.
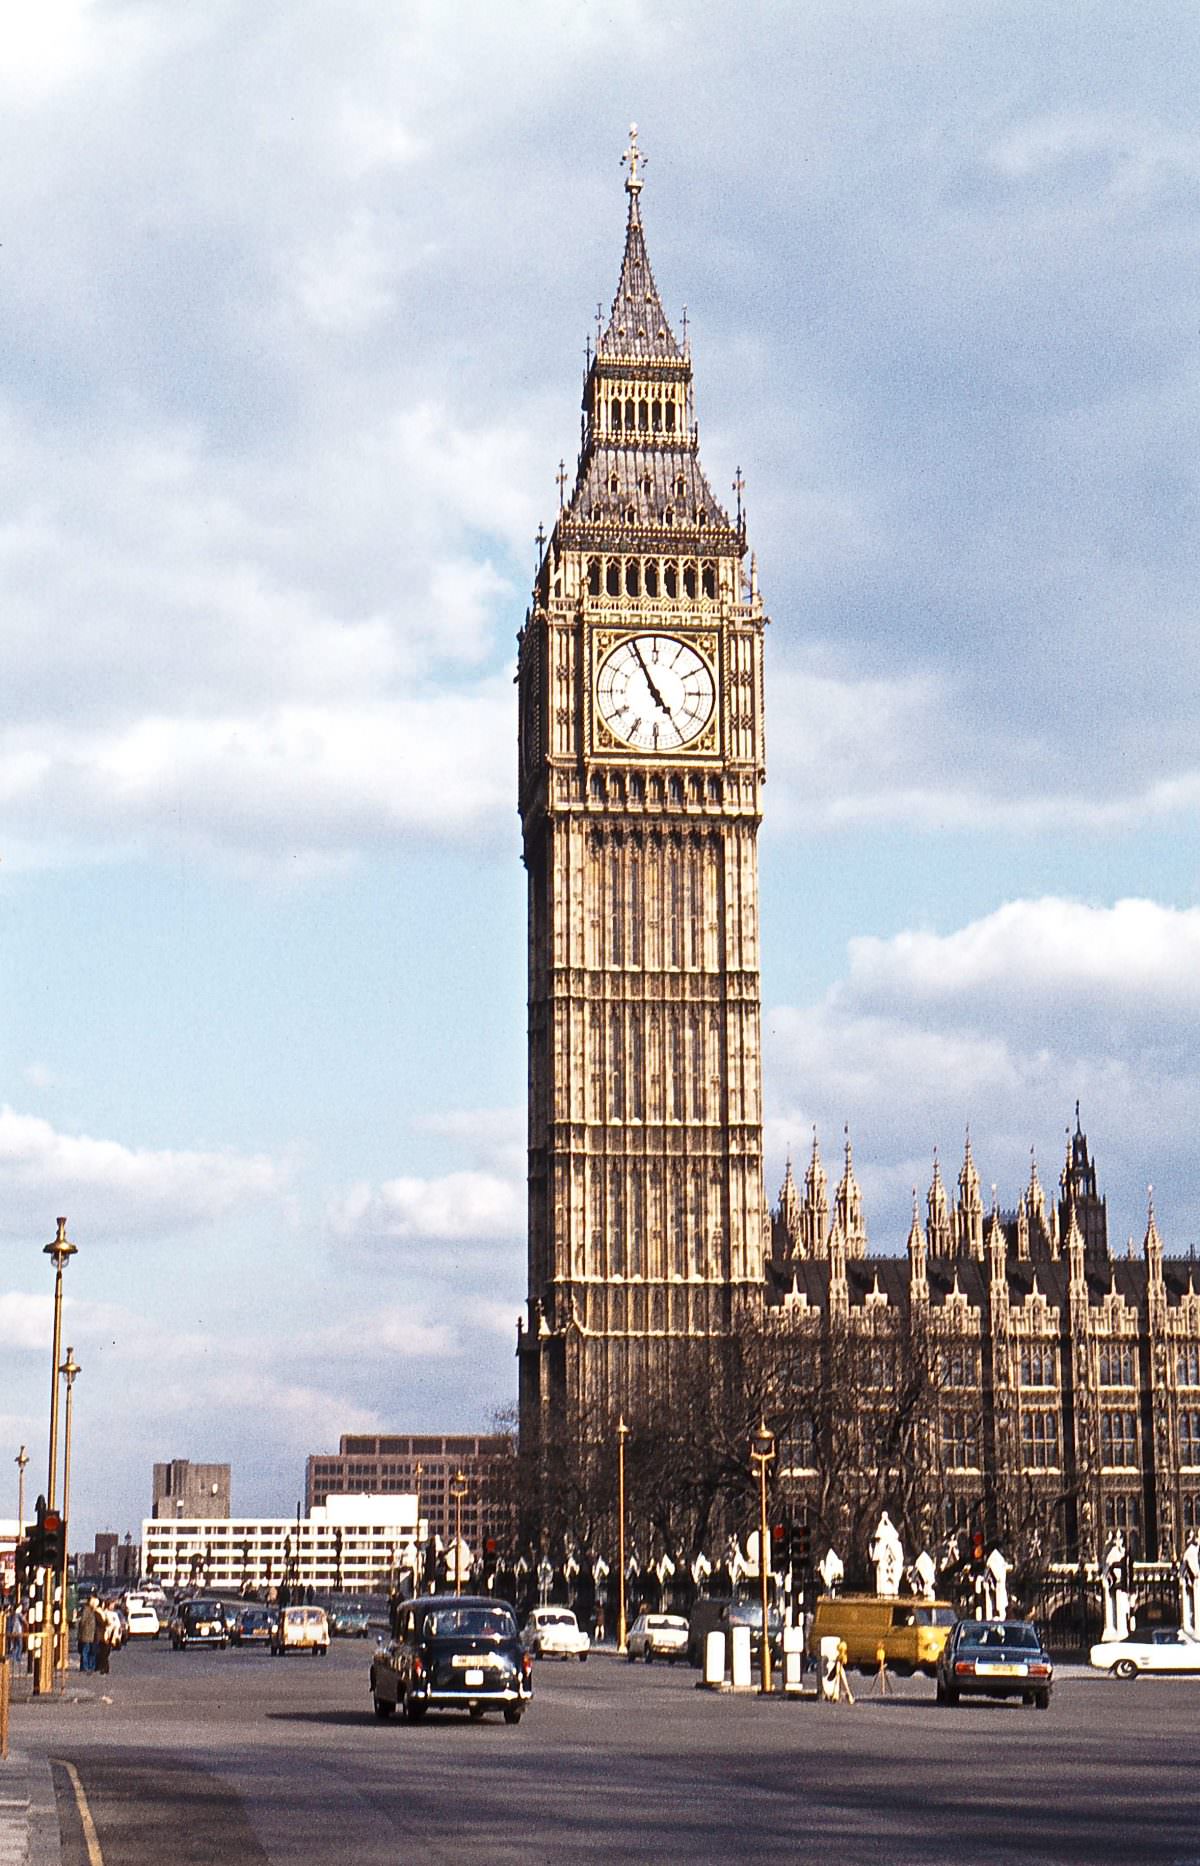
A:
(294, 303)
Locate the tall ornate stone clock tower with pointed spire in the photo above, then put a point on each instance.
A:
(641, 796)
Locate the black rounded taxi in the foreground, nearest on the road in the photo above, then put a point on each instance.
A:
(453, 1654)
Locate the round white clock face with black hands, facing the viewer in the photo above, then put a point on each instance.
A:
(656, 693)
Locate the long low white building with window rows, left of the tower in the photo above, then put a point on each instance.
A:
(350, 1544)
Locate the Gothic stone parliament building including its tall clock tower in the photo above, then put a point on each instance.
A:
(1057, 1386)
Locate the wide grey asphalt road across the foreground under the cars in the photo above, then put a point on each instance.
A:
(240, 1759)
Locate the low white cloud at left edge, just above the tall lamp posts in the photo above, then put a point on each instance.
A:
(132, 1191)
